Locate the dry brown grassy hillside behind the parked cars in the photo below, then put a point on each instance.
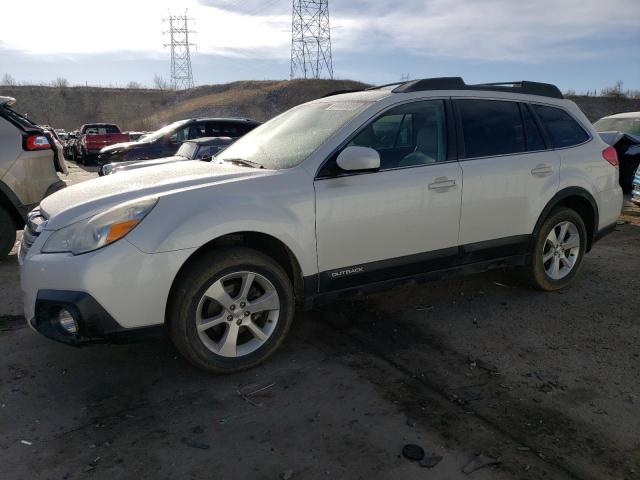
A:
(147, 109)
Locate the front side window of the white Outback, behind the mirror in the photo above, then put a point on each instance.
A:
(407, 135)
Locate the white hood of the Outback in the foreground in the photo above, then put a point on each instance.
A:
(89, 198)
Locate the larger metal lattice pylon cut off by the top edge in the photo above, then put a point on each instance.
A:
(311, 39)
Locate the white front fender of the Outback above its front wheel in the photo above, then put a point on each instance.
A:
(279, 205)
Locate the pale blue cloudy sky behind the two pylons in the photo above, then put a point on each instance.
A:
(580, 45)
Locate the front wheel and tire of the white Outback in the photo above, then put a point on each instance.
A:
(207, 292)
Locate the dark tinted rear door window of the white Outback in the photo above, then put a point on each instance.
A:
(490, 127)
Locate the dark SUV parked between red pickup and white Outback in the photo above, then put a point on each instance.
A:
(166, 141)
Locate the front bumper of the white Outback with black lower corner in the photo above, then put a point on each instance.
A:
(114, 290)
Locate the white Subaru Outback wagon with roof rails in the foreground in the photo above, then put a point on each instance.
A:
(354, 191)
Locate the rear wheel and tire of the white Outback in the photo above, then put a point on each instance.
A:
(549, 266)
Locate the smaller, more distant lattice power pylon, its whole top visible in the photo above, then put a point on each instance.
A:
(181, 73)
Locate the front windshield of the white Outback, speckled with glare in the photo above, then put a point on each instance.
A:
(291, 137)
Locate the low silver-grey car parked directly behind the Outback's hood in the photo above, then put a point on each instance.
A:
(198, 149)
